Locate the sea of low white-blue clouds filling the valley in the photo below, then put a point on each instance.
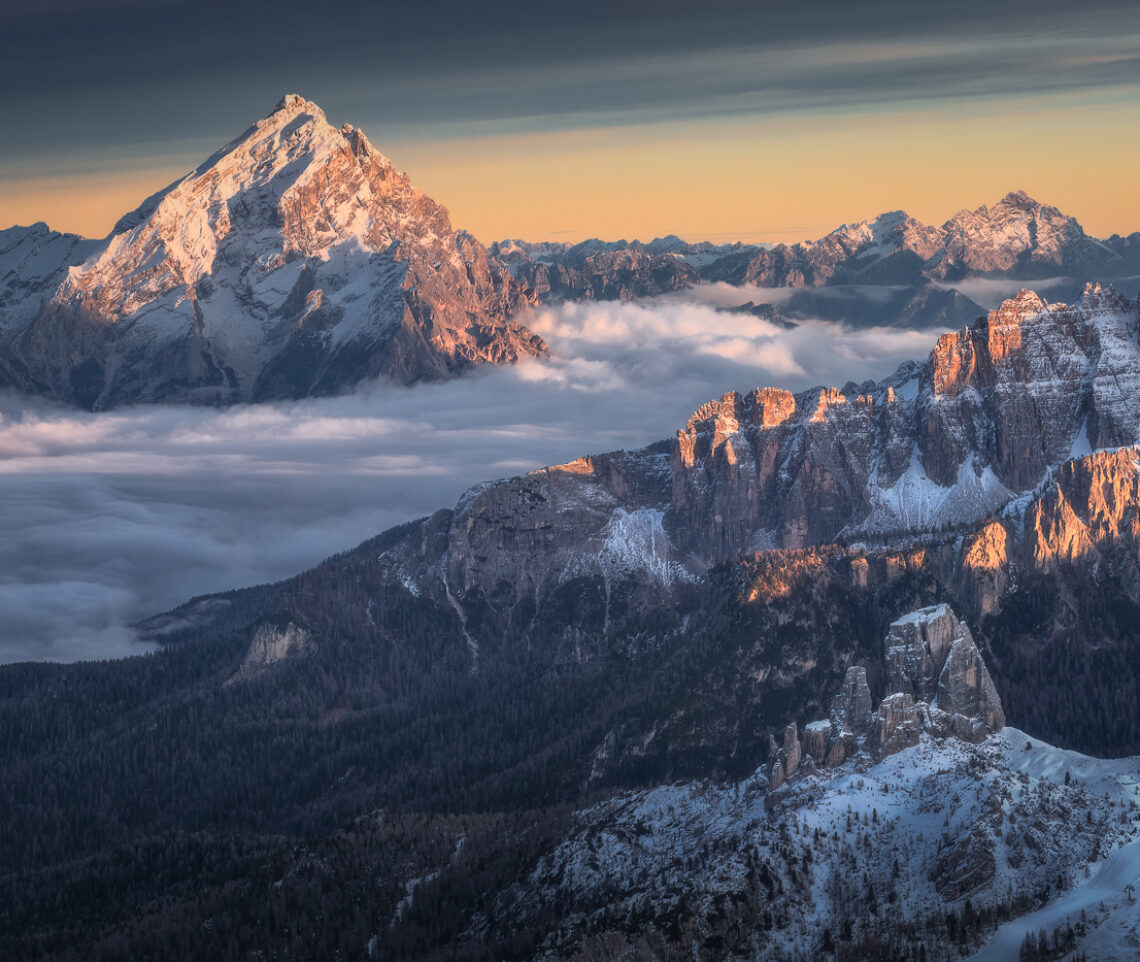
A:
(116, 517)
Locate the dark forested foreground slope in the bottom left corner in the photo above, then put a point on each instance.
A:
(390, 886)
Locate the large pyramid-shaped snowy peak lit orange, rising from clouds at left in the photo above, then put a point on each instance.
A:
(296, 262)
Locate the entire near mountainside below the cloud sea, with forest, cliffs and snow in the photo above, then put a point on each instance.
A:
(740, 695)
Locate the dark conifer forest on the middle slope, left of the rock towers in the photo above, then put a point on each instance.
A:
(99, 755)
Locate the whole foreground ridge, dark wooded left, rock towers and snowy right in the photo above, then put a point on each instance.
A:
(934, 834)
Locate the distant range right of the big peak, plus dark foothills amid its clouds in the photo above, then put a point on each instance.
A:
(889, 271)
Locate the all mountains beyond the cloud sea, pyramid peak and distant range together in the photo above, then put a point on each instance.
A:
(298, 262)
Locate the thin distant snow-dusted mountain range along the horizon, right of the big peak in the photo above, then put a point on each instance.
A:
(1017, 238)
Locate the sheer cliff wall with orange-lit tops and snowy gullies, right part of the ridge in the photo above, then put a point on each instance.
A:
(948, 442)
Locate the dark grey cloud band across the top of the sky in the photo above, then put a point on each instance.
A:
(102, 76)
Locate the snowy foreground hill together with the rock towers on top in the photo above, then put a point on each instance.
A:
(927, 836)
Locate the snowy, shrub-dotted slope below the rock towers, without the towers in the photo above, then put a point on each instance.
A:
(884, 851)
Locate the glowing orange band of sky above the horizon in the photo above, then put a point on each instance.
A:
(776, 178)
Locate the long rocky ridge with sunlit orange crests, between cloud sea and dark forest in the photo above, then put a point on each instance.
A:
(947, 443)
